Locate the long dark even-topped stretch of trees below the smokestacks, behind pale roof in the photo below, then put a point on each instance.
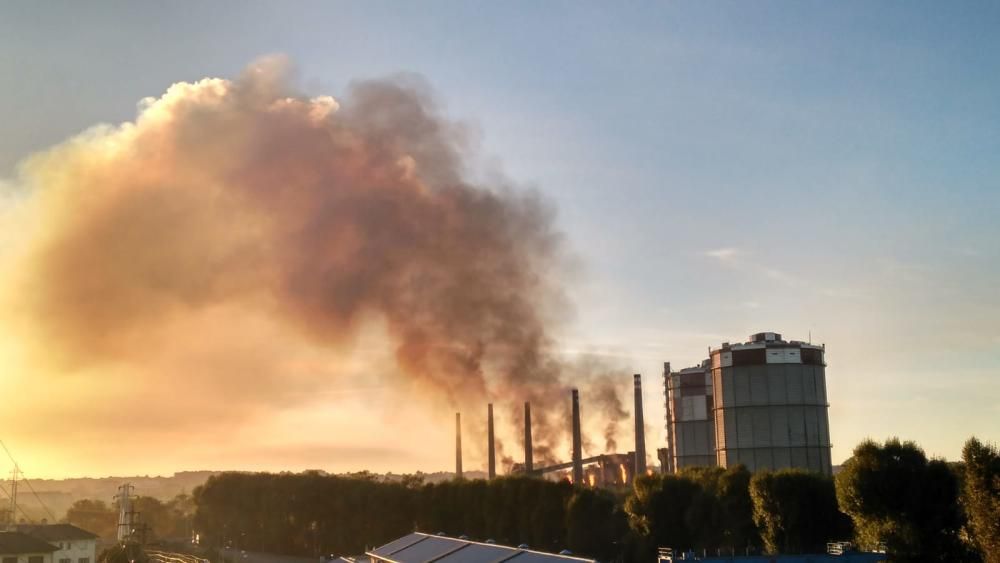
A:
(313, 514)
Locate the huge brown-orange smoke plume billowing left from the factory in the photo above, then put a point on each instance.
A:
(235, 231)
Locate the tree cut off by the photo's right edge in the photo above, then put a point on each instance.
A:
(981, 496)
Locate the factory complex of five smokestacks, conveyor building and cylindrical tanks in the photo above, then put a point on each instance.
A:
(761, 403)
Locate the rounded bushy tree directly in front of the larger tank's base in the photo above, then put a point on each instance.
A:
(796, 511)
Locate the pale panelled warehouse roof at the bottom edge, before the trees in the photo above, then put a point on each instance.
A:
(419, 548)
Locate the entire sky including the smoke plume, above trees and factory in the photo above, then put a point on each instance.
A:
(647, 182)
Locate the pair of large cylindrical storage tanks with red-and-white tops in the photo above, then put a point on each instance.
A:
(761, 403)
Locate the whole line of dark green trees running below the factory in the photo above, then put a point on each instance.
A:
(887, 494)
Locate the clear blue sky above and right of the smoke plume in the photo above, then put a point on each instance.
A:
(720, 168)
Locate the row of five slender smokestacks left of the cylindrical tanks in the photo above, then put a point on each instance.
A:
(577, 438)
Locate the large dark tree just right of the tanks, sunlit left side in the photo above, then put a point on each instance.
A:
(894, 494)
